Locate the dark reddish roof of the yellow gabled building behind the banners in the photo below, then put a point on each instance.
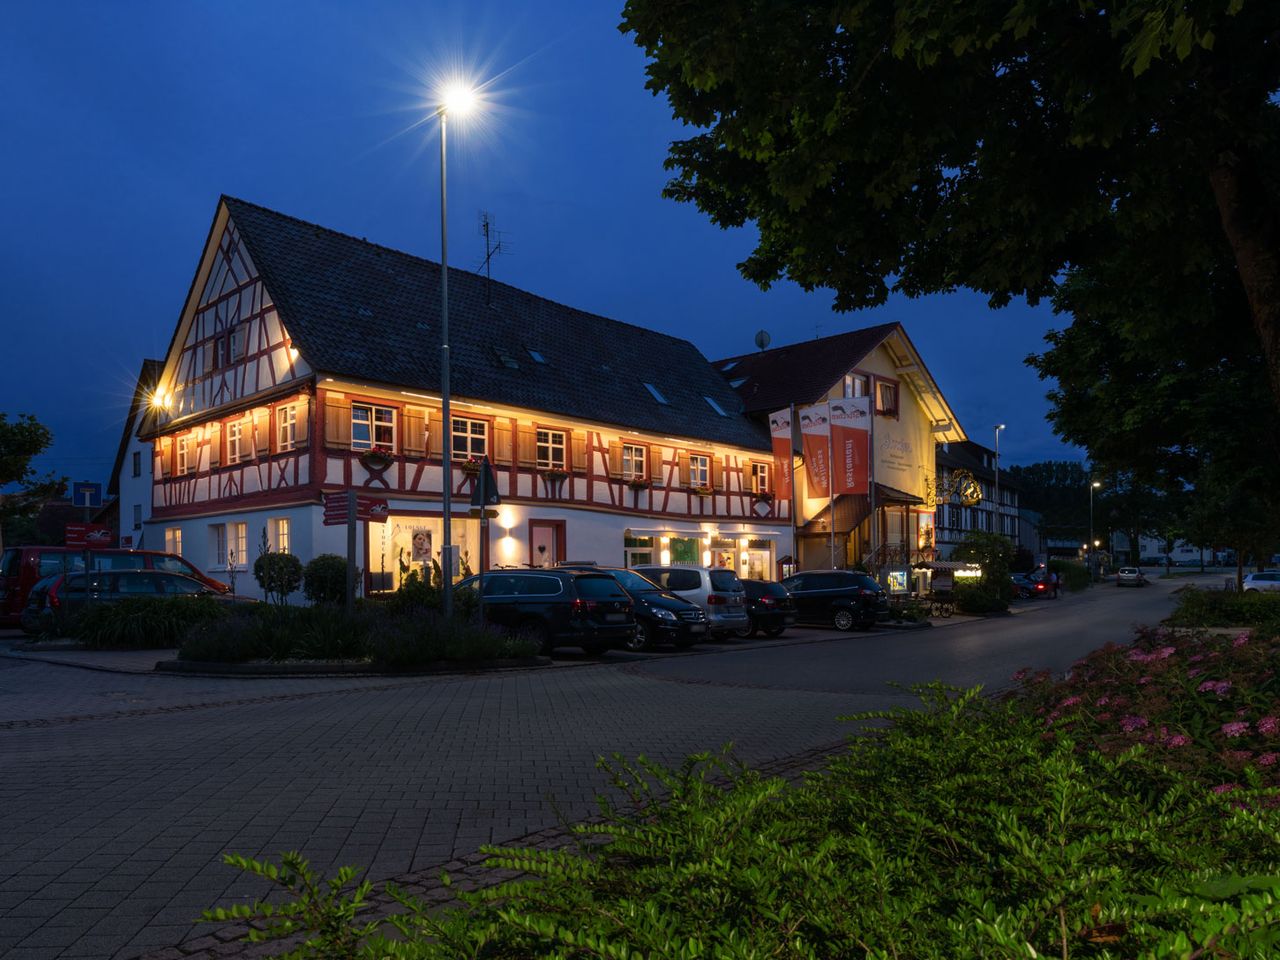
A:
(801, 373)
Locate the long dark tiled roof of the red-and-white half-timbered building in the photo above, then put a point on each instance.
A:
(368, 313)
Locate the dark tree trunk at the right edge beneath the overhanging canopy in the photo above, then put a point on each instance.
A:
(1252, 228)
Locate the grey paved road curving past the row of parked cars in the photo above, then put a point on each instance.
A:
(118, 793)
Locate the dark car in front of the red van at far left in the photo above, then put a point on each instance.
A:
(56, 601)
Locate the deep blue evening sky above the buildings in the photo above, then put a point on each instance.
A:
(124, 122)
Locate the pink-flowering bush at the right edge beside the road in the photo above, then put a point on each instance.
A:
(1208, 705)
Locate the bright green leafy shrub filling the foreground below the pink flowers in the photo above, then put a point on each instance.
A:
(954, 831)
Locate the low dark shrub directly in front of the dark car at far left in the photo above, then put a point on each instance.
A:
(144, 623)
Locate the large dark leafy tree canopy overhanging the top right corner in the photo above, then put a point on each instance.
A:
(921, 147)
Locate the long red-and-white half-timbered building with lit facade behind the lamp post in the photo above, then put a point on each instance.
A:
(307, 363)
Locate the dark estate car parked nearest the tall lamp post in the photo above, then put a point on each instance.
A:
(559, 607)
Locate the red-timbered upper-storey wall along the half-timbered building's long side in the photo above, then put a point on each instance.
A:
(593, 464)
